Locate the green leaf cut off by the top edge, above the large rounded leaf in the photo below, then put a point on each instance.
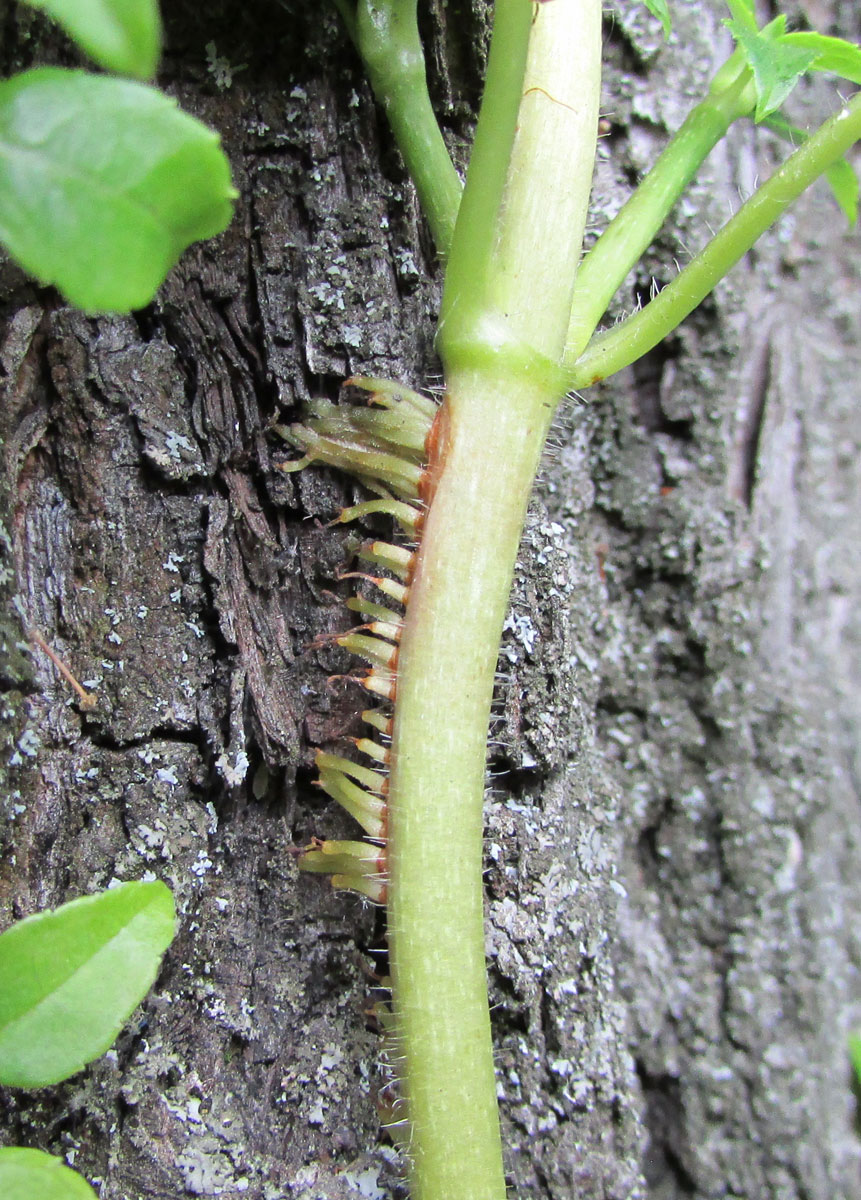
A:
(121, 35)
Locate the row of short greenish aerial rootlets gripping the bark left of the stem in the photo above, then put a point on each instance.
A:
(384, 445)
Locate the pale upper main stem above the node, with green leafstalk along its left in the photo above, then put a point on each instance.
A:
(510, 280)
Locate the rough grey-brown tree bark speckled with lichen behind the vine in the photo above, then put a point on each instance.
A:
(673, 838)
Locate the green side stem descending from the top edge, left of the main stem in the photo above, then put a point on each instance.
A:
(387, 34)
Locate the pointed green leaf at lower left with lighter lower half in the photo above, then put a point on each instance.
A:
(70, 979)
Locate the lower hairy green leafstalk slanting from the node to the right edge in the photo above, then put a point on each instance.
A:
(633, 339)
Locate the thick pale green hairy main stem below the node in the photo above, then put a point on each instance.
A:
(445, 686)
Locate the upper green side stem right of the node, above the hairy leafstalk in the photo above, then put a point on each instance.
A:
(605, 268)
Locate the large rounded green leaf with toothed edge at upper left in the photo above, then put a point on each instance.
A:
(104, 184)
